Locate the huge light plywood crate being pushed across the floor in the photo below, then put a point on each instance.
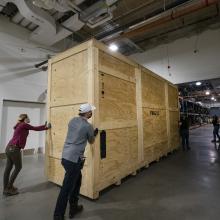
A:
(137, 109)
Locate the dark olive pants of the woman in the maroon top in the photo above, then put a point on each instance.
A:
(13, 155)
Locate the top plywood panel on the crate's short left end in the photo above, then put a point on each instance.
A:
(69, 80)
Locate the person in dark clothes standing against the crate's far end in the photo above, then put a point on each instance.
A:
(184, 132)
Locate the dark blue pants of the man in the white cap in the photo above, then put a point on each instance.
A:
(70, 188)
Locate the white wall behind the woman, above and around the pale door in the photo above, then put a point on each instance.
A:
(19, 79)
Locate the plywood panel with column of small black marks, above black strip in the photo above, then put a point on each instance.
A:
(117, 103)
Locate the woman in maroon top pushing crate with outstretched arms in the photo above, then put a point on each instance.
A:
(13, 152)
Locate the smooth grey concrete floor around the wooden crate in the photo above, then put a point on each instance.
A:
(183, 186)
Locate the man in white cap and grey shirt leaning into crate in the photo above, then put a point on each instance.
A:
(79, 132)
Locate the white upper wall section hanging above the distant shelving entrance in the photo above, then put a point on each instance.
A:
(185, 65)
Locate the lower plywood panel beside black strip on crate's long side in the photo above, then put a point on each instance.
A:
(121, 155)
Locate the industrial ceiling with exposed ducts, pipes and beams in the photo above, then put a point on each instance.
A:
(136, 26)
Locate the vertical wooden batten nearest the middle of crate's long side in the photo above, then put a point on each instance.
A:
(139, 104)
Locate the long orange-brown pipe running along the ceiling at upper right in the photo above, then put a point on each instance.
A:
(164, 18)
